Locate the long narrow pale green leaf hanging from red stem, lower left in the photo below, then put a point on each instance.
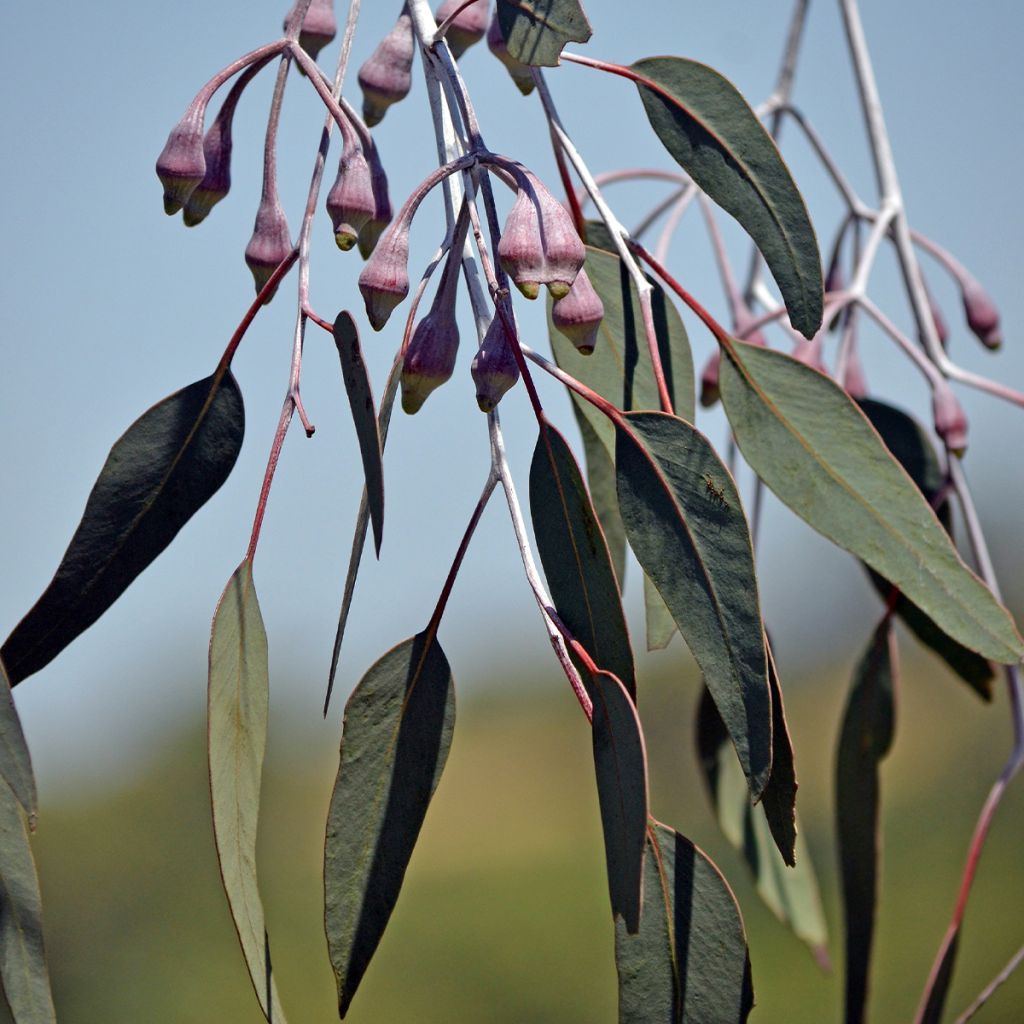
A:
(238, 709)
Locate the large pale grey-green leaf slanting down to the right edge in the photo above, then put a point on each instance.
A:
(813, 446)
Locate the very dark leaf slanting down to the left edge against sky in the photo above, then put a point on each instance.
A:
(161, 472)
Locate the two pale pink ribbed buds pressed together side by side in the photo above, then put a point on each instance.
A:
(540, 244)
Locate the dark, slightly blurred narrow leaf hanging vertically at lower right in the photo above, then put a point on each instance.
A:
(866, 738)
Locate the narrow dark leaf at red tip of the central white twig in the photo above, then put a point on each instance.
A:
(621, 763)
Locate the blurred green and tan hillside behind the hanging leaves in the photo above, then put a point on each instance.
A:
(504, 915)
